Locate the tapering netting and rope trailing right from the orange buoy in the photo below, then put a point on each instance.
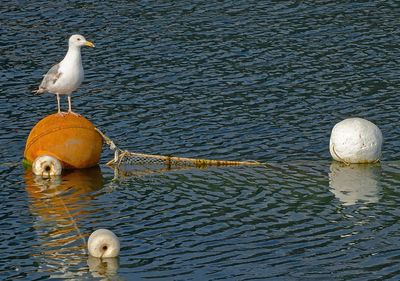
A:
(129, 161)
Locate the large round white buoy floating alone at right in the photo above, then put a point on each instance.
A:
(356, 140)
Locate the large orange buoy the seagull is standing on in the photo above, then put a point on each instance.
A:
(71, 139)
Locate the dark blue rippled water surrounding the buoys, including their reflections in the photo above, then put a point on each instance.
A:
(259, 80)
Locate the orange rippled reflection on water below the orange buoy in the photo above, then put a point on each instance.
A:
(57, 205)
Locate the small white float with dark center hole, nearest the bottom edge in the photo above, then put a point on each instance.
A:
(103, 243)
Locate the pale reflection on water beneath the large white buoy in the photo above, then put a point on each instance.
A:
(355, 183)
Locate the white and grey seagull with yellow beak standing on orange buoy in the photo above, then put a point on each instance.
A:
(66, 76)
